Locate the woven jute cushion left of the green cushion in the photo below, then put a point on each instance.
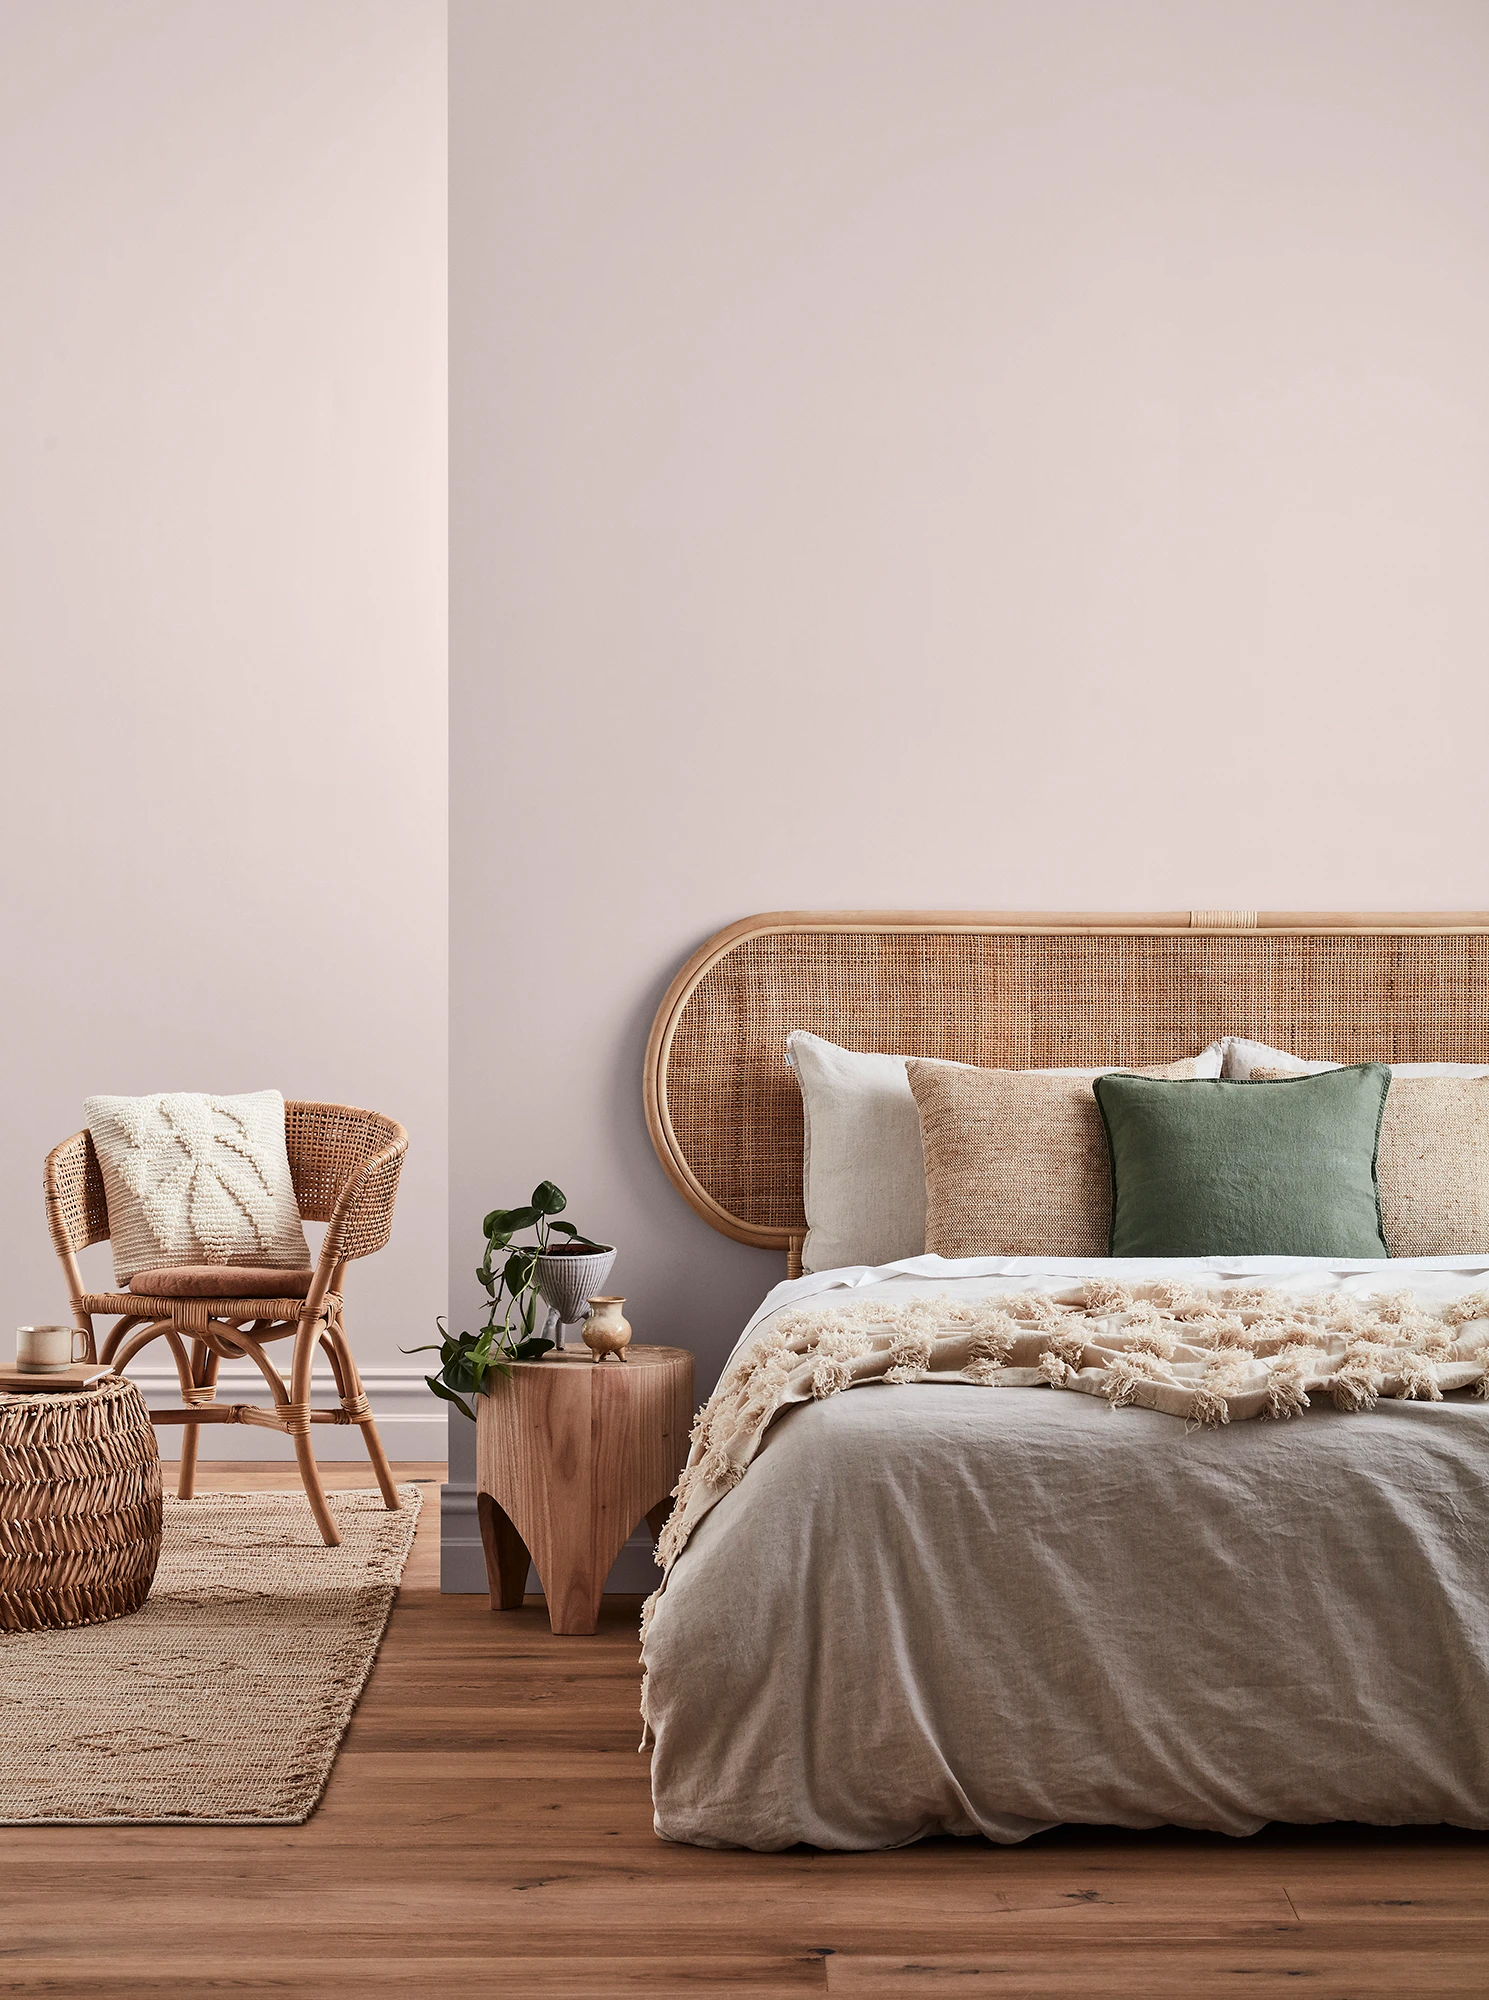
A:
(1016, 1161)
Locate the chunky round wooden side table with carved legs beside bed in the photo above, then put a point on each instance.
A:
(571, 1455)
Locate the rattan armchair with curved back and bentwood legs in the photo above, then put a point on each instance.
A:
(345, 1167)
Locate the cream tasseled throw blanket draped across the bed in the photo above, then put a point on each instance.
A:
(1202, 1357)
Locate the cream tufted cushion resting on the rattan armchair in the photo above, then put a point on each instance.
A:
(193, 1179)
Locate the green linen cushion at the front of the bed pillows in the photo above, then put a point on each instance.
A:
(1246, 1169)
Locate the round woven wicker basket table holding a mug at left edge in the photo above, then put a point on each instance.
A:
(79, 1507)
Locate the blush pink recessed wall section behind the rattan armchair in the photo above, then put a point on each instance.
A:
(223, 591)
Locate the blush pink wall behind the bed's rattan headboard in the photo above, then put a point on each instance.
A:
(940, 453)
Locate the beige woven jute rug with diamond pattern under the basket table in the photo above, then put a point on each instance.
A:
(225, 1699)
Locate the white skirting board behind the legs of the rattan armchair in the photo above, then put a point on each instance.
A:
(411, 1421)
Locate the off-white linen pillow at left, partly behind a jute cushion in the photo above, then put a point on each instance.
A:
(864, 1167)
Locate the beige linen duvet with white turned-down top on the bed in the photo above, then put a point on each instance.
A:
(940, 1607)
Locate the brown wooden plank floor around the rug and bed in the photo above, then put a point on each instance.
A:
(487, 1831)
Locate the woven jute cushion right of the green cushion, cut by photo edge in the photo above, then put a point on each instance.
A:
(1432, 1163)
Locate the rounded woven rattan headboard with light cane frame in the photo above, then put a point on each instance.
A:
(1030, 991)
